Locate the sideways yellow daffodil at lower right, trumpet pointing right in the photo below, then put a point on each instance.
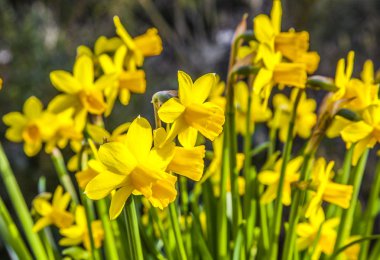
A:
(326, 190)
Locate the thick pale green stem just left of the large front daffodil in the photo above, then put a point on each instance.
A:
(63, 175)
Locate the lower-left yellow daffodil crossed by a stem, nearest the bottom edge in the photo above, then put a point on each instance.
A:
(79, 234)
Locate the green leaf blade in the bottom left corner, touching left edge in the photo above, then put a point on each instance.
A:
(10, 233)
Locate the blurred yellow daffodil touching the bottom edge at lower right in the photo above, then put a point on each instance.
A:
(308, 232)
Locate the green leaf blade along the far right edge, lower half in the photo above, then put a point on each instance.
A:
(370, 213)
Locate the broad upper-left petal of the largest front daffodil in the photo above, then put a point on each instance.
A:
(117, 158)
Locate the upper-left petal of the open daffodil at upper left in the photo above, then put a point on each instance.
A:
(65, 82)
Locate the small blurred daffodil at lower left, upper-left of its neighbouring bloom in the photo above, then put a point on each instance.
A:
(53, 213)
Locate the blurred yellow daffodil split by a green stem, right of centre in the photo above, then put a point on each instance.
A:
(305, 117)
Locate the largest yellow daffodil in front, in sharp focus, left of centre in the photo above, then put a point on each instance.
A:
(133, 166)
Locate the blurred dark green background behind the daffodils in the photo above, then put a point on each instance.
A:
(37, 37)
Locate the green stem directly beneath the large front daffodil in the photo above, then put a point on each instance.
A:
(134, 241)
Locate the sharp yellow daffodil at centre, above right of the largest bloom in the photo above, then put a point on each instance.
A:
(189, 113)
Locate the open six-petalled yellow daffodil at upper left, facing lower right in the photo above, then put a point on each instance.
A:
(82, 91)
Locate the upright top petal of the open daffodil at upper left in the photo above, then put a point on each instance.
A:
(84, 71)
